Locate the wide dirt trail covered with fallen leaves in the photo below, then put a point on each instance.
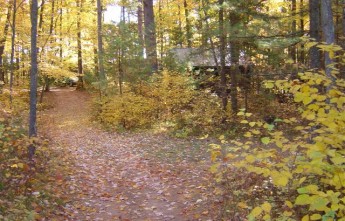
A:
(124, 176)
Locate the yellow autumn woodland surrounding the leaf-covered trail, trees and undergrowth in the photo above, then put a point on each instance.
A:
(267, 76)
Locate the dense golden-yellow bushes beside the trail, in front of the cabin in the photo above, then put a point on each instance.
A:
(169, 100)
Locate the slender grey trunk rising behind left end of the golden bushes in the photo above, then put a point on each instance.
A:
(100, 47)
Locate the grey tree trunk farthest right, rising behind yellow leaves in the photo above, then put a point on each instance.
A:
(328, 32)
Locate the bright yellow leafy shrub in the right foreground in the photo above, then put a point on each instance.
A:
(298, 174)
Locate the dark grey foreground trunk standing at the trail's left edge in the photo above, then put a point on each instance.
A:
(33, 78)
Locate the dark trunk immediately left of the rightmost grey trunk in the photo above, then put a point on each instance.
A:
(314, 17)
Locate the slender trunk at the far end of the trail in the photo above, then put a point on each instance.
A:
(80, 84)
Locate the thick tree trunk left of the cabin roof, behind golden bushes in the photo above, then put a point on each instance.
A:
(150, 35)
